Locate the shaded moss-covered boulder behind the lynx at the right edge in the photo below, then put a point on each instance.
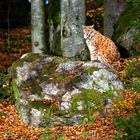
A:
(127, 30)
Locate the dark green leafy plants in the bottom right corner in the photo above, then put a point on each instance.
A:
(129, 129)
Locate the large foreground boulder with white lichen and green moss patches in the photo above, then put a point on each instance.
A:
(50, 90)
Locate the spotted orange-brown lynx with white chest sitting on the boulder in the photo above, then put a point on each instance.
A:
(100, 47)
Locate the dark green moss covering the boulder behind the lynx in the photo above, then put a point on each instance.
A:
(129, 19)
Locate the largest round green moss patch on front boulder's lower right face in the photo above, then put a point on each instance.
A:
(91, 101)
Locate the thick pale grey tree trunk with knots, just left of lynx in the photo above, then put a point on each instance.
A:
(72, 19)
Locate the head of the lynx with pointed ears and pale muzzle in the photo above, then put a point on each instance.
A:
(88, 31)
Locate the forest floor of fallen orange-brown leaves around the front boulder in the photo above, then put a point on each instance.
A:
(12, 46)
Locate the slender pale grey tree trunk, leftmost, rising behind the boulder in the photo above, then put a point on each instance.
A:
(38, 25)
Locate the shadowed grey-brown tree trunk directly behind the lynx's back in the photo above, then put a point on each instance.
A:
(112, 11)
